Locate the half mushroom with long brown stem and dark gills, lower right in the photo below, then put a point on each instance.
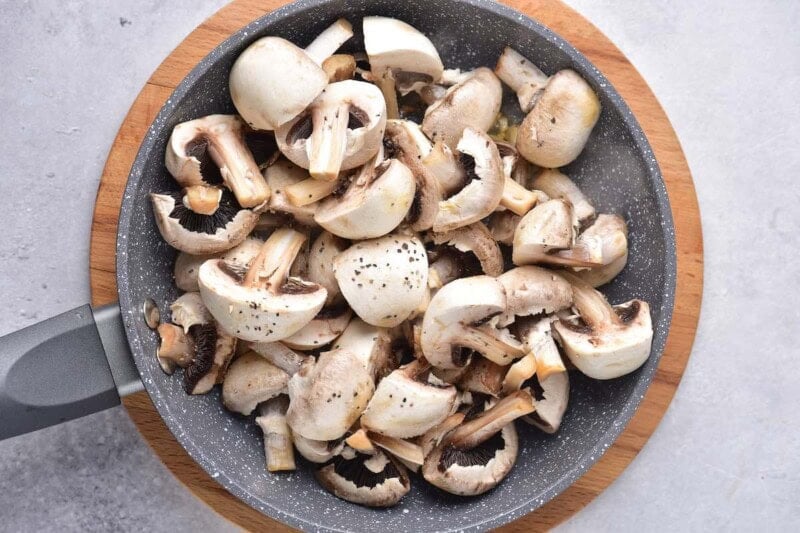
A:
(480, 452)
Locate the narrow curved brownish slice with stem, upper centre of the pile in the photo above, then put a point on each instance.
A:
(405, 141)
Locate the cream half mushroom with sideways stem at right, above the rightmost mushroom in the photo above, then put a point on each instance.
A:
(547, 235)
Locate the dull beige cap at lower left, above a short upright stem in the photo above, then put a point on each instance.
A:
(250, 380)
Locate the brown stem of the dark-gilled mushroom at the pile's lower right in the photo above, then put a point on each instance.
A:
(489, 422)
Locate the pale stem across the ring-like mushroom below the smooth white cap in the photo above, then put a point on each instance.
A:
(328, 140)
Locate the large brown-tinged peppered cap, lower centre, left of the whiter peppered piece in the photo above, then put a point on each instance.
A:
(329, 395)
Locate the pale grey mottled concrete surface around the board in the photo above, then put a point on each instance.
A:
(728, 75)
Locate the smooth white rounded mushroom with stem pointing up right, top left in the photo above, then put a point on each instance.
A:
(273, 80)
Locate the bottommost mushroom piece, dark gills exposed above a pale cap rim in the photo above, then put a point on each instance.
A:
(374, 480)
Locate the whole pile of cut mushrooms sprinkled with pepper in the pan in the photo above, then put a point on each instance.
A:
(382, 270)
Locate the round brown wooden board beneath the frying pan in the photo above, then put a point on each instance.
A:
(586, 38)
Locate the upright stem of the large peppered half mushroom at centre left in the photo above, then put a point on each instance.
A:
(273, 262)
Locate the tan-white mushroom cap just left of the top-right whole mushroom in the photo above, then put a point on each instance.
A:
(472, 103)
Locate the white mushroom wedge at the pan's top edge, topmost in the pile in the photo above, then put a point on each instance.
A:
(396, 46)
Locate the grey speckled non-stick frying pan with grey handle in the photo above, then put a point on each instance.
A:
(83, 360)
